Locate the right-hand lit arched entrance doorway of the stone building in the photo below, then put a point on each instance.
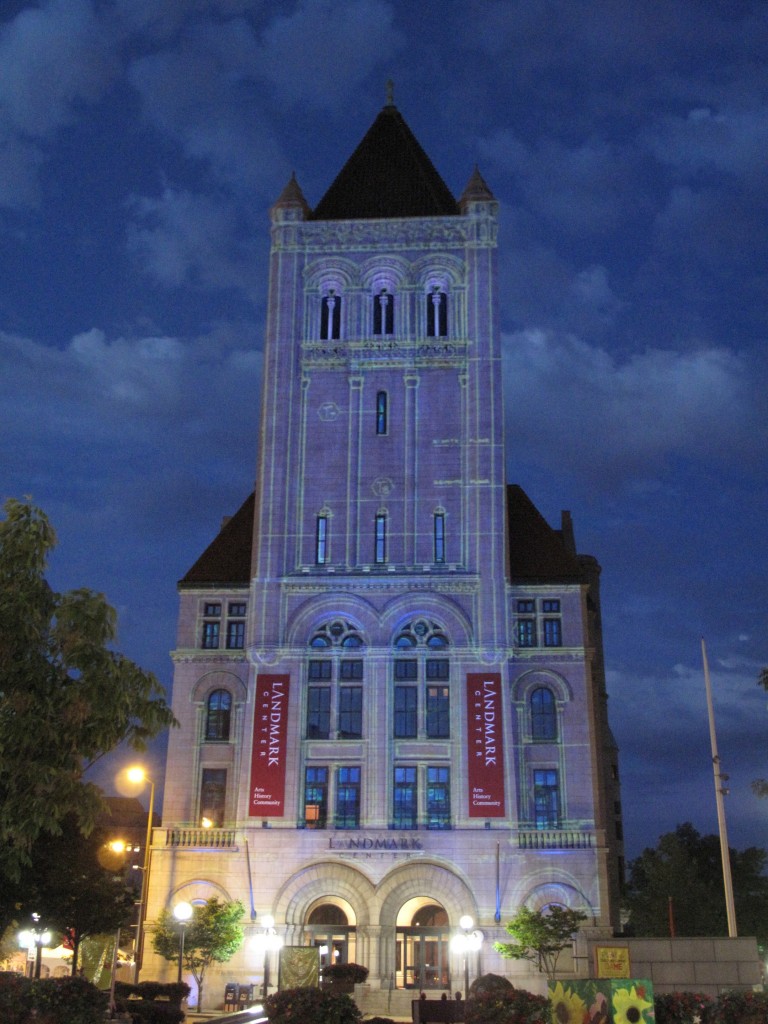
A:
(422, 946)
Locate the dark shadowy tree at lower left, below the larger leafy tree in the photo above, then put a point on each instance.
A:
(68, 887)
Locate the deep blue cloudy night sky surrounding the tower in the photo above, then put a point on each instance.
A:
(142, 144)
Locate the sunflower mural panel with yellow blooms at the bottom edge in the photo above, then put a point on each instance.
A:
(605, 1001)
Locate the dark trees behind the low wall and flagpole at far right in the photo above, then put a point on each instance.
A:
(685, 876)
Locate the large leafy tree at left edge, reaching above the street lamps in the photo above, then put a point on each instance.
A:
(66, 697)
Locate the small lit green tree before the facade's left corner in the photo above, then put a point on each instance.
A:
(214, 934)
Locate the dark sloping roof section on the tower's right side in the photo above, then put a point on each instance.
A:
(537, 552)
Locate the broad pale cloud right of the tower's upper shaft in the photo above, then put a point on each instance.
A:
(611, 419)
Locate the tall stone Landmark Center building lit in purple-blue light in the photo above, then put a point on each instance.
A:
(389, 671)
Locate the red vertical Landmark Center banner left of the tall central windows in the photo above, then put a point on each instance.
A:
(270, 741)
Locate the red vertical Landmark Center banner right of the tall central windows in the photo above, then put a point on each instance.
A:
(486, 746)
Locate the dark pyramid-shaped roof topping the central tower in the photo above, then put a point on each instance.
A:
(389, 176)
